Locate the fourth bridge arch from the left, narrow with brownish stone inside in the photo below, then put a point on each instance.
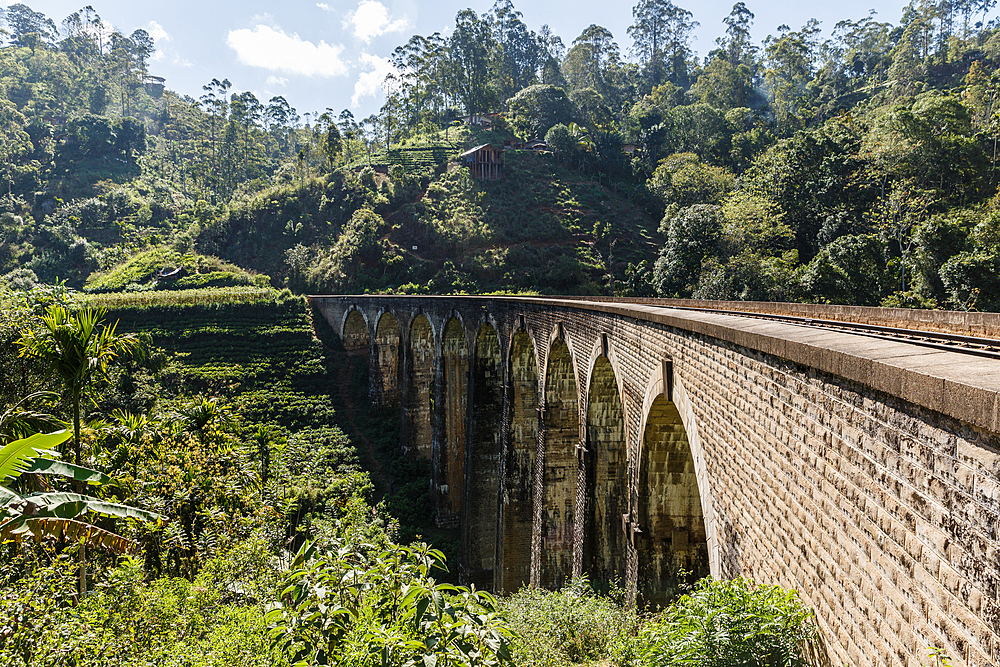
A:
(454, 386)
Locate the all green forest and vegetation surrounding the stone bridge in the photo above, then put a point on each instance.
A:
(219, 492)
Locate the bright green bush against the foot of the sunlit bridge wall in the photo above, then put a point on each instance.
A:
(729, 624)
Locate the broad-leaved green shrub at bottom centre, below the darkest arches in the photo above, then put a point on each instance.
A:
(367, 606)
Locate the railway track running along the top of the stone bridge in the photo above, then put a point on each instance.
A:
(983, 347)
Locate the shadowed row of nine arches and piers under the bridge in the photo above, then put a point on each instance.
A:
(537, 470)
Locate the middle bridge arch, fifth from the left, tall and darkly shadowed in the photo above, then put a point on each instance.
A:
(483, 477)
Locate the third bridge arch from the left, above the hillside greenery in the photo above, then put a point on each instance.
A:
(420, 390)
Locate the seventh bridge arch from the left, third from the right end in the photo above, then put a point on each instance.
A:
(560, 467)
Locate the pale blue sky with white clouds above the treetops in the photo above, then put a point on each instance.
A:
(334, 53)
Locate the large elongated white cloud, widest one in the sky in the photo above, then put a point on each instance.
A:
(273, 49)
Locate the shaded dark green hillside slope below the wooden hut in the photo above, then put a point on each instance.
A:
(537, 231)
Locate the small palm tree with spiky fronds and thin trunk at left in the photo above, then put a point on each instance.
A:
(76, 347)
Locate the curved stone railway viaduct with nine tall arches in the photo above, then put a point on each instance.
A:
(636, 440)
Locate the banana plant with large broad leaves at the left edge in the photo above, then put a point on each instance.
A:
(56, 513)
